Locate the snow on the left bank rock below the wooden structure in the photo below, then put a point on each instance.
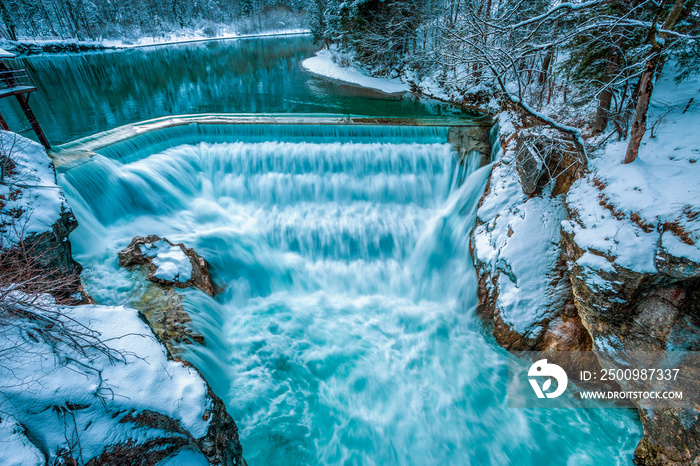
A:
(30, 187)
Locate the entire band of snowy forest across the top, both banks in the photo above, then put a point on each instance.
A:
(535, 54)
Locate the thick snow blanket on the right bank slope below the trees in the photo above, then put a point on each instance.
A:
(659, 191)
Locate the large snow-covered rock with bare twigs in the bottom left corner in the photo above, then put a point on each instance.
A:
(114, 394)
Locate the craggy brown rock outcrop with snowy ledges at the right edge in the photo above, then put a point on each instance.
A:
(638, 293)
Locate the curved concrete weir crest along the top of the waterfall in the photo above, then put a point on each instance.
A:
(465, 135)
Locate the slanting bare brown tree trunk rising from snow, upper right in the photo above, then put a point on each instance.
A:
(646, 82)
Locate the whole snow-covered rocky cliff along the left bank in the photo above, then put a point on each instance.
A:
(88, 383)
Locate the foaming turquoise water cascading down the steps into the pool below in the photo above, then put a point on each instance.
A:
(345, 332)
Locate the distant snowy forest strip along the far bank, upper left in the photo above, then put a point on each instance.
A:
(133, 19)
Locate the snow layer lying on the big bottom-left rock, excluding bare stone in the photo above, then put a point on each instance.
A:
(61, 395)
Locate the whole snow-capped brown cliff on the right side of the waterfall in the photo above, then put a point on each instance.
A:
(599, 261)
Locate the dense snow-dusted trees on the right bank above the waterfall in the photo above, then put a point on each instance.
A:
(534, 54)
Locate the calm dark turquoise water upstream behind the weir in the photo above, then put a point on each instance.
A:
(82, 94)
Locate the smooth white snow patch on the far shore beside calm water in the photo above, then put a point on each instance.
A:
(323, 64)
